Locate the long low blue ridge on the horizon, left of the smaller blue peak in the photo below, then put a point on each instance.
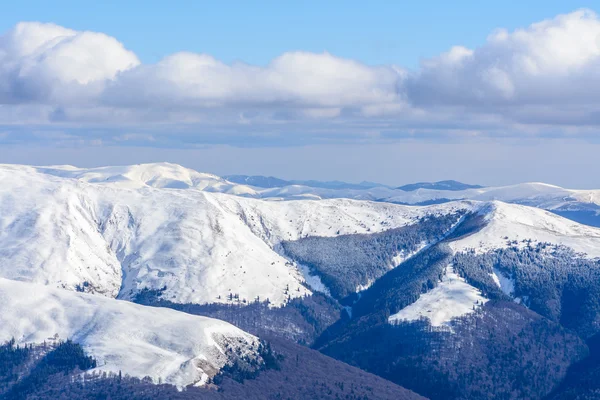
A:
(269, 182)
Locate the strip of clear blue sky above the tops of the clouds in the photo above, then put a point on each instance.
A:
(380, 32)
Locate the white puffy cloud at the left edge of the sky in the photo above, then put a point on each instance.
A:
(47, 63)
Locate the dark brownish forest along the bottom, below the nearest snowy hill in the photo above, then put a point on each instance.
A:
(299, 373)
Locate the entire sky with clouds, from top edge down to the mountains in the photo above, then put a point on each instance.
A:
(487, 92)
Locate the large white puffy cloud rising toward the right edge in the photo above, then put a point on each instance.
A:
(551, 62)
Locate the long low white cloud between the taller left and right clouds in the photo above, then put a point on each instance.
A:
(296, 79)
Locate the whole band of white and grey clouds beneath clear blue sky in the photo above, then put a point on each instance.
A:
(540, 80)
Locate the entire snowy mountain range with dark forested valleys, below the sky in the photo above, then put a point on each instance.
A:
(183, 279)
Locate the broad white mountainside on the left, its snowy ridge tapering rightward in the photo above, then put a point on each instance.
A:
(200, 247)
